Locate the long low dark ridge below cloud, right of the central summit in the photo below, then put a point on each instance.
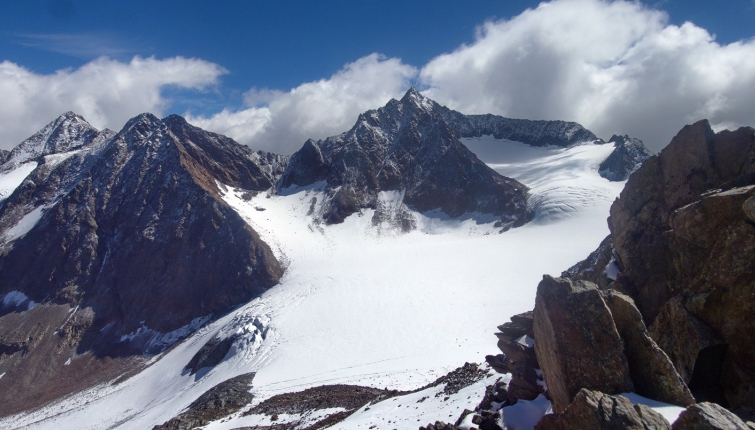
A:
(535, 133)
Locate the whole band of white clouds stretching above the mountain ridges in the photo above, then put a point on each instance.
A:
(613, 66)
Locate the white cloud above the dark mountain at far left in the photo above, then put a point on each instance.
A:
(105, 91)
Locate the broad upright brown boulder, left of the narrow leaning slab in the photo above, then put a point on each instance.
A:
(577, 344)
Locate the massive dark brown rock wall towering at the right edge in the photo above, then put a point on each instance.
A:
(681, 231)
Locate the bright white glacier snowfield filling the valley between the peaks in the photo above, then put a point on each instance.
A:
(369, 305)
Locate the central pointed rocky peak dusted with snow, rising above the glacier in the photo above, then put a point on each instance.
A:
(405, 146)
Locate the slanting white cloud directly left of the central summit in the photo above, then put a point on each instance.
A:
(281, 121)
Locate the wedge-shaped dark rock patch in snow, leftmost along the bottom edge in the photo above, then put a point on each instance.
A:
(219, 401)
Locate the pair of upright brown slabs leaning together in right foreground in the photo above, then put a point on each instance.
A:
(588, 338)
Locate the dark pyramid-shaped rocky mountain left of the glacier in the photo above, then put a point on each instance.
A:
(132, 233)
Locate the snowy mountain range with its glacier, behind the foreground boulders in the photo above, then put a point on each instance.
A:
(117, 246)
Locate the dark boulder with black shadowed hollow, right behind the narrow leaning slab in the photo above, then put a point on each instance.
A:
(695, 349)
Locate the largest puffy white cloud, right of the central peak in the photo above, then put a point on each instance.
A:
(613, 66)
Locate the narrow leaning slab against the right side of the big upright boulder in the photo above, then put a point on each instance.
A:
(652, 372)
